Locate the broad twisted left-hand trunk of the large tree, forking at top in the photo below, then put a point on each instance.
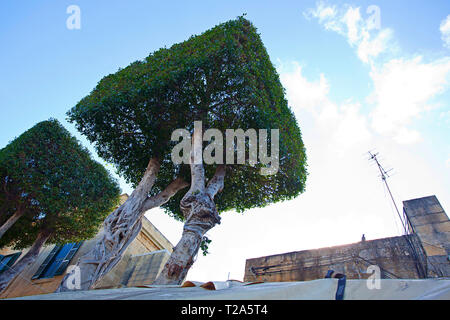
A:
(120, 228)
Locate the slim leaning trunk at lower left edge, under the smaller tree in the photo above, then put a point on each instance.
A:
(7, 276)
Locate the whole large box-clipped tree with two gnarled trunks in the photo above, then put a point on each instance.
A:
(223, 78)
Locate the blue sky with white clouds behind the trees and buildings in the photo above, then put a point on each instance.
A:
(359, 75)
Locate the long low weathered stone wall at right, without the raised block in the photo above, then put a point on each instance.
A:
(392, 255)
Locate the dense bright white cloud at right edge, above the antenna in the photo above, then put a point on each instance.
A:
(402, 92)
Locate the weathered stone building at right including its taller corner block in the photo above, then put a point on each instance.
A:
(423, 252)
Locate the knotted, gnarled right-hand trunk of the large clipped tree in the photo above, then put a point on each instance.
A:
(201, 215)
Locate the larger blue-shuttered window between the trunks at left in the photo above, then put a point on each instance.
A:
(57, 261)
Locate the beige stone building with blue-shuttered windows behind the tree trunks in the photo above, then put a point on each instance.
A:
(140, 264)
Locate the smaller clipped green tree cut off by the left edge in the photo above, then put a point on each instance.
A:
(64, 194)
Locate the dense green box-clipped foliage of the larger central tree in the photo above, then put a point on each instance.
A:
(224, 78)
